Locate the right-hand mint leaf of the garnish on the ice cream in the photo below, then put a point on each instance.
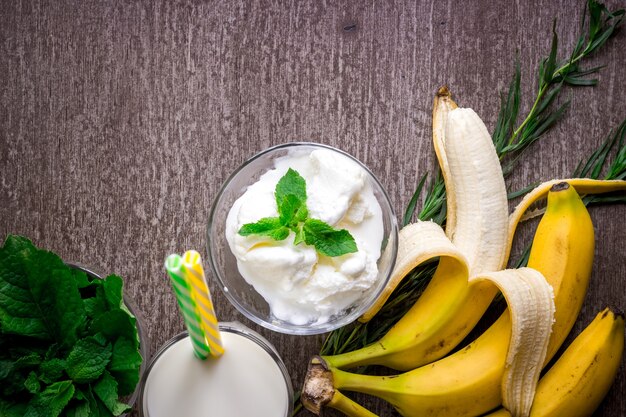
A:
(328, 241)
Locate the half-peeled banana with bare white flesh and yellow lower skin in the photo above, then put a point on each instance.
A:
(477, 231)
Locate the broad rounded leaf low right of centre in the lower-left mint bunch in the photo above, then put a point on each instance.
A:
(87, 360)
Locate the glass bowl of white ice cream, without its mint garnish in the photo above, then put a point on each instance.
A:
(291, 287)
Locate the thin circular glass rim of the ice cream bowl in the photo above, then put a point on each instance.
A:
(293, 329)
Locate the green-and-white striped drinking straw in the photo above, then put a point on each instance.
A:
(187, 305)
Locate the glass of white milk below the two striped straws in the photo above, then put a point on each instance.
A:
(250, 379)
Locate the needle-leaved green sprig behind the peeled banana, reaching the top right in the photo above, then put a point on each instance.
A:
(510, 141)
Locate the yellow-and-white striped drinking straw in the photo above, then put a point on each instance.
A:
(194, 274)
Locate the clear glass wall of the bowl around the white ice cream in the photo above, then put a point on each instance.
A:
(224, 264)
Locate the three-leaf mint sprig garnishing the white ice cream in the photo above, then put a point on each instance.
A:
(293, 215)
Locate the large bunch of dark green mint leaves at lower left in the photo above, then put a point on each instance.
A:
(68, 344)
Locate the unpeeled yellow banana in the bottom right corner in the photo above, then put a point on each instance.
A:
(582, 376)
